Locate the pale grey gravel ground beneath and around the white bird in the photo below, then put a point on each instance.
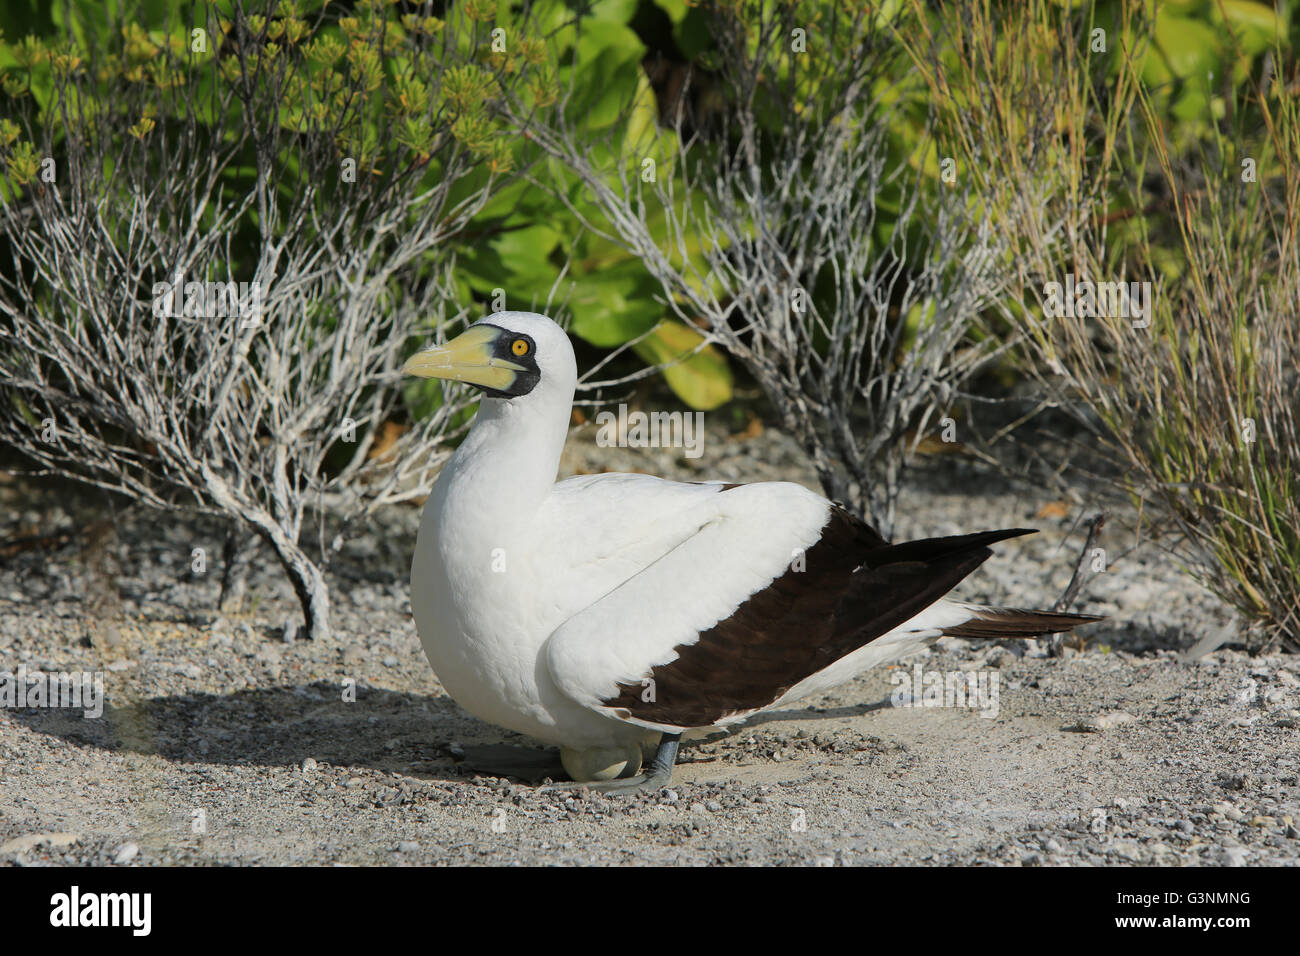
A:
(222, 743)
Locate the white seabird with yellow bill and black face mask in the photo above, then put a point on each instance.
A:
(612, 613)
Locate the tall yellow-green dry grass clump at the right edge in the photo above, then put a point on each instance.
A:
(1201, 405)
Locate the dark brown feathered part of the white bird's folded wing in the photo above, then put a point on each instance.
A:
(852, 590)
